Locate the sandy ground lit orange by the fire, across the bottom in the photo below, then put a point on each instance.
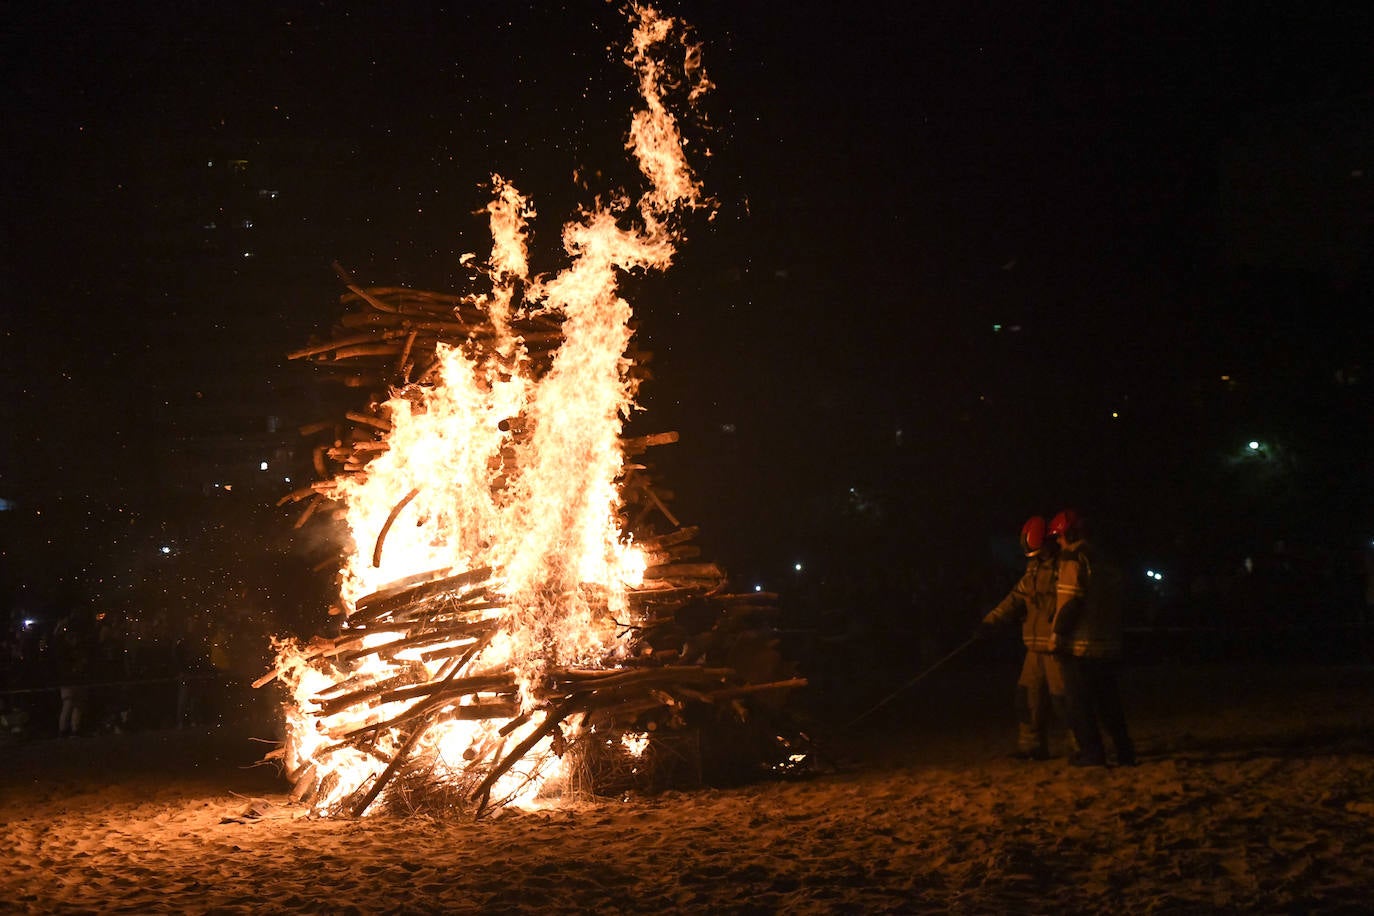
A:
(1255, 794)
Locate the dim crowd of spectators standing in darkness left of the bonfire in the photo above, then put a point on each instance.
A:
(89, 672)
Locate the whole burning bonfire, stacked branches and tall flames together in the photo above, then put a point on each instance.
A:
(523, 615)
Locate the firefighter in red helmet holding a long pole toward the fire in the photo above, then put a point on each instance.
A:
(1033, 602)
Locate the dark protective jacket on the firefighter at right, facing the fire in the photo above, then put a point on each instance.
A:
(1088, 619)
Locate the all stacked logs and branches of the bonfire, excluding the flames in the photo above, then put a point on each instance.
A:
(690, 642)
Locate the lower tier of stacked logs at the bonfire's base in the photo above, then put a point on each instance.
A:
(451, 617)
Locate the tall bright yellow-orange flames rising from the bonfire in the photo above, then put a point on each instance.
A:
(491, 465)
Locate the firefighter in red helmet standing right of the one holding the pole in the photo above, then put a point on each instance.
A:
(1088, 638)
